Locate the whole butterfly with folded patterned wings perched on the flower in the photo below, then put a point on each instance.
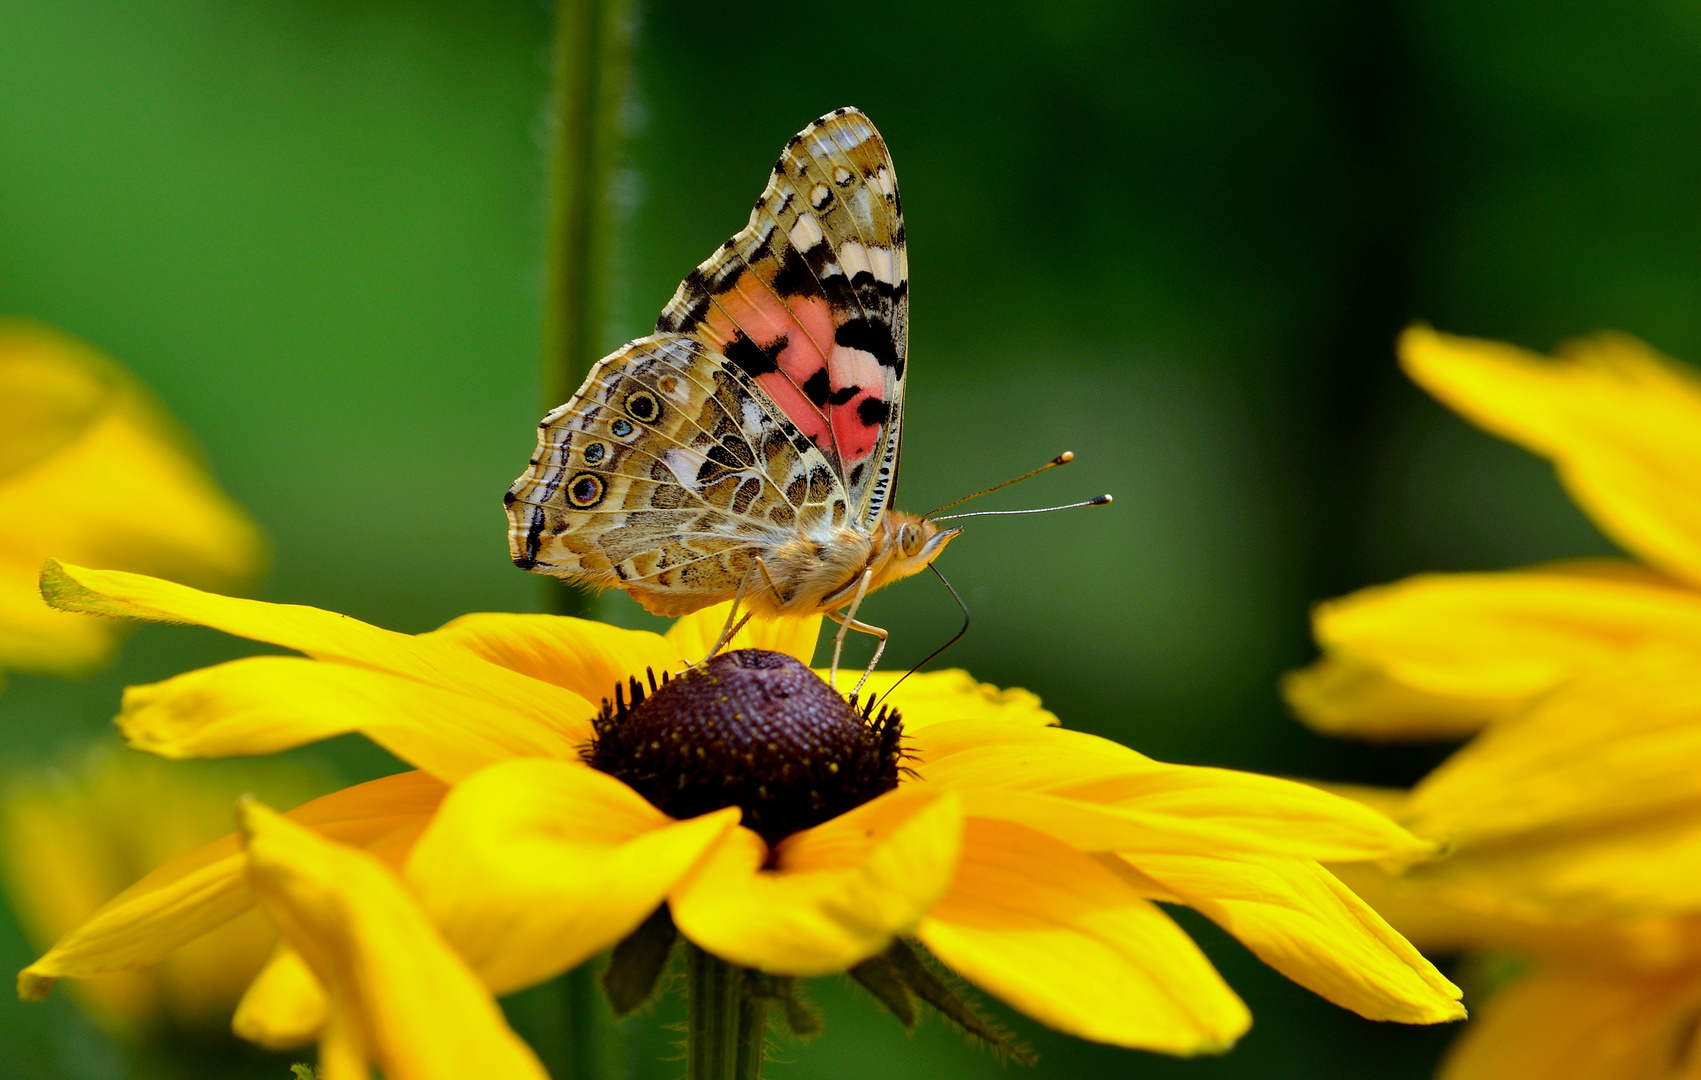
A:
(749, 448)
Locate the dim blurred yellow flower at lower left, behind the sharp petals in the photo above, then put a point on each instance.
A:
(72, 839)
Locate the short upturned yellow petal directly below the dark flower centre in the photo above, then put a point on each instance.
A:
(841, 894)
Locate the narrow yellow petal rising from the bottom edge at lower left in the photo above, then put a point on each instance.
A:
(387, 972)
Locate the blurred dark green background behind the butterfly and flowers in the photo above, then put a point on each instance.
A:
(1176, 237)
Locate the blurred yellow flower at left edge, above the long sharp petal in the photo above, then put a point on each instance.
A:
(94, 470)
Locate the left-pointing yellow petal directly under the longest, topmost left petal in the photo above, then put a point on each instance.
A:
(265, 705)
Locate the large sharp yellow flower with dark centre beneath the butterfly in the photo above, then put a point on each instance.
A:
(1023, 856)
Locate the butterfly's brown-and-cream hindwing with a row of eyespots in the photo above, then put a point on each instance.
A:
(666, 475)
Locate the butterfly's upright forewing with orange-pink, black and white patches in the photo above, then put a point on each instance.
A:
(811, 300)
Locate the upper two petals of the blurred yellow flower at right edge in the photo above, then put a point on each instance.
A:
(1443, 656)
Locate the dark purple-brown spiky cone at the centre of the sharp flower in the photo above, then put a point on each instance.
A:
(754, 730)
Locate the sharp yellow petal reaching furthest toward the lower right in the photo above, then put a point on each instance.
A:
(1299, 919)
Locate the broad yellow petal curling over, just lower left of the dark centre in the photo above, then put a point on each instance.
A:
(535, 867)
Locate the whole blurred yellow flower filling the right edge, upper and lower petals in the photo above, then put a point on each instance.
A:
(1576, 812)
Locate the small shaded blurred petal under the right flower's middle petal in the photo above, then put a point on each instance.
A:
(1340, 698)
